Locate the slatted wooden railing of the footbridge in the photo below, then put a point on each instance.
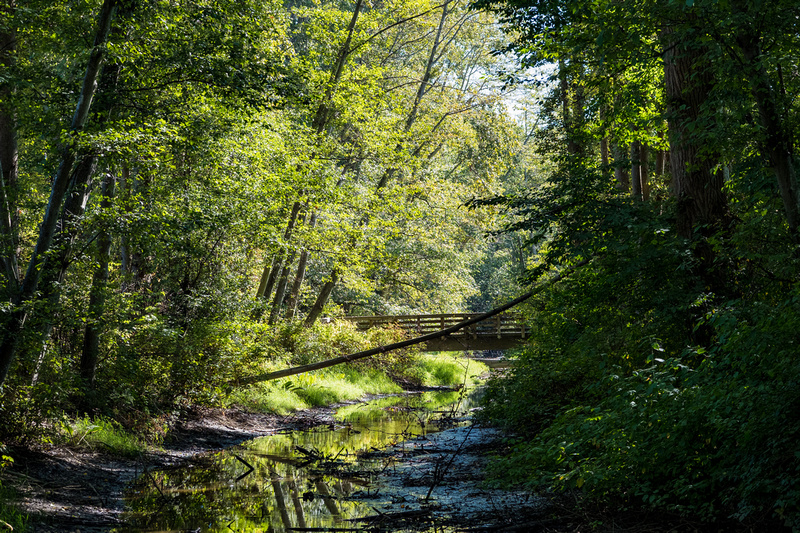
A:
(501, 326)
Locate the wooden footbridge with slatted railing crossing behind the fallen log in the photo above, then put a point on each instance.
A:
(498, 332)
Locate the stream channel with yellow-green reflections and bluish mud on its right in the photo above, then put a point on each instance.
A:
(402, 463)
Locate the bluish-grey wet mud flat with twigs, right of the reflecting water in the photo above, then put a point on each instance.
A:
(434, 484)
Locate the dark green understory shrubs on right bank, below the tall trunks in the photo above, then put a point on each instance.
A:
(645, 382)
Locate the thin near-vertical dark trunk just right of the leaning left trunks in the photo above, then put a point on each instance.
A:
(97, 294)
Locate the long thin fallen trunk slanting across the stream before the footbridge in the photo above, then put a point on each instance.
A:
(403, 344)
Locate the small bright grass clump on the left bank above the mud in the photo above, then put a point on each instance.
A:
(101, 434)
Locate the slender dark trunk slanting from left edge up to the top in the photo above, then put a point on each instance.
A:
(14, 326)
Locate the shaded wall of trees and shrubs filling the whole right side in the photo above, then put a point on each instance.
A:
(658, 373)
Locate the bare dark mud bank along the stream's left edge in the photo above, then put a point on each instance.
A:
(73, 490)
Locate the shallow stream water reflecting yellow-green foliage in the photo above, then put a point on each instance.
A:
(302, 480)
